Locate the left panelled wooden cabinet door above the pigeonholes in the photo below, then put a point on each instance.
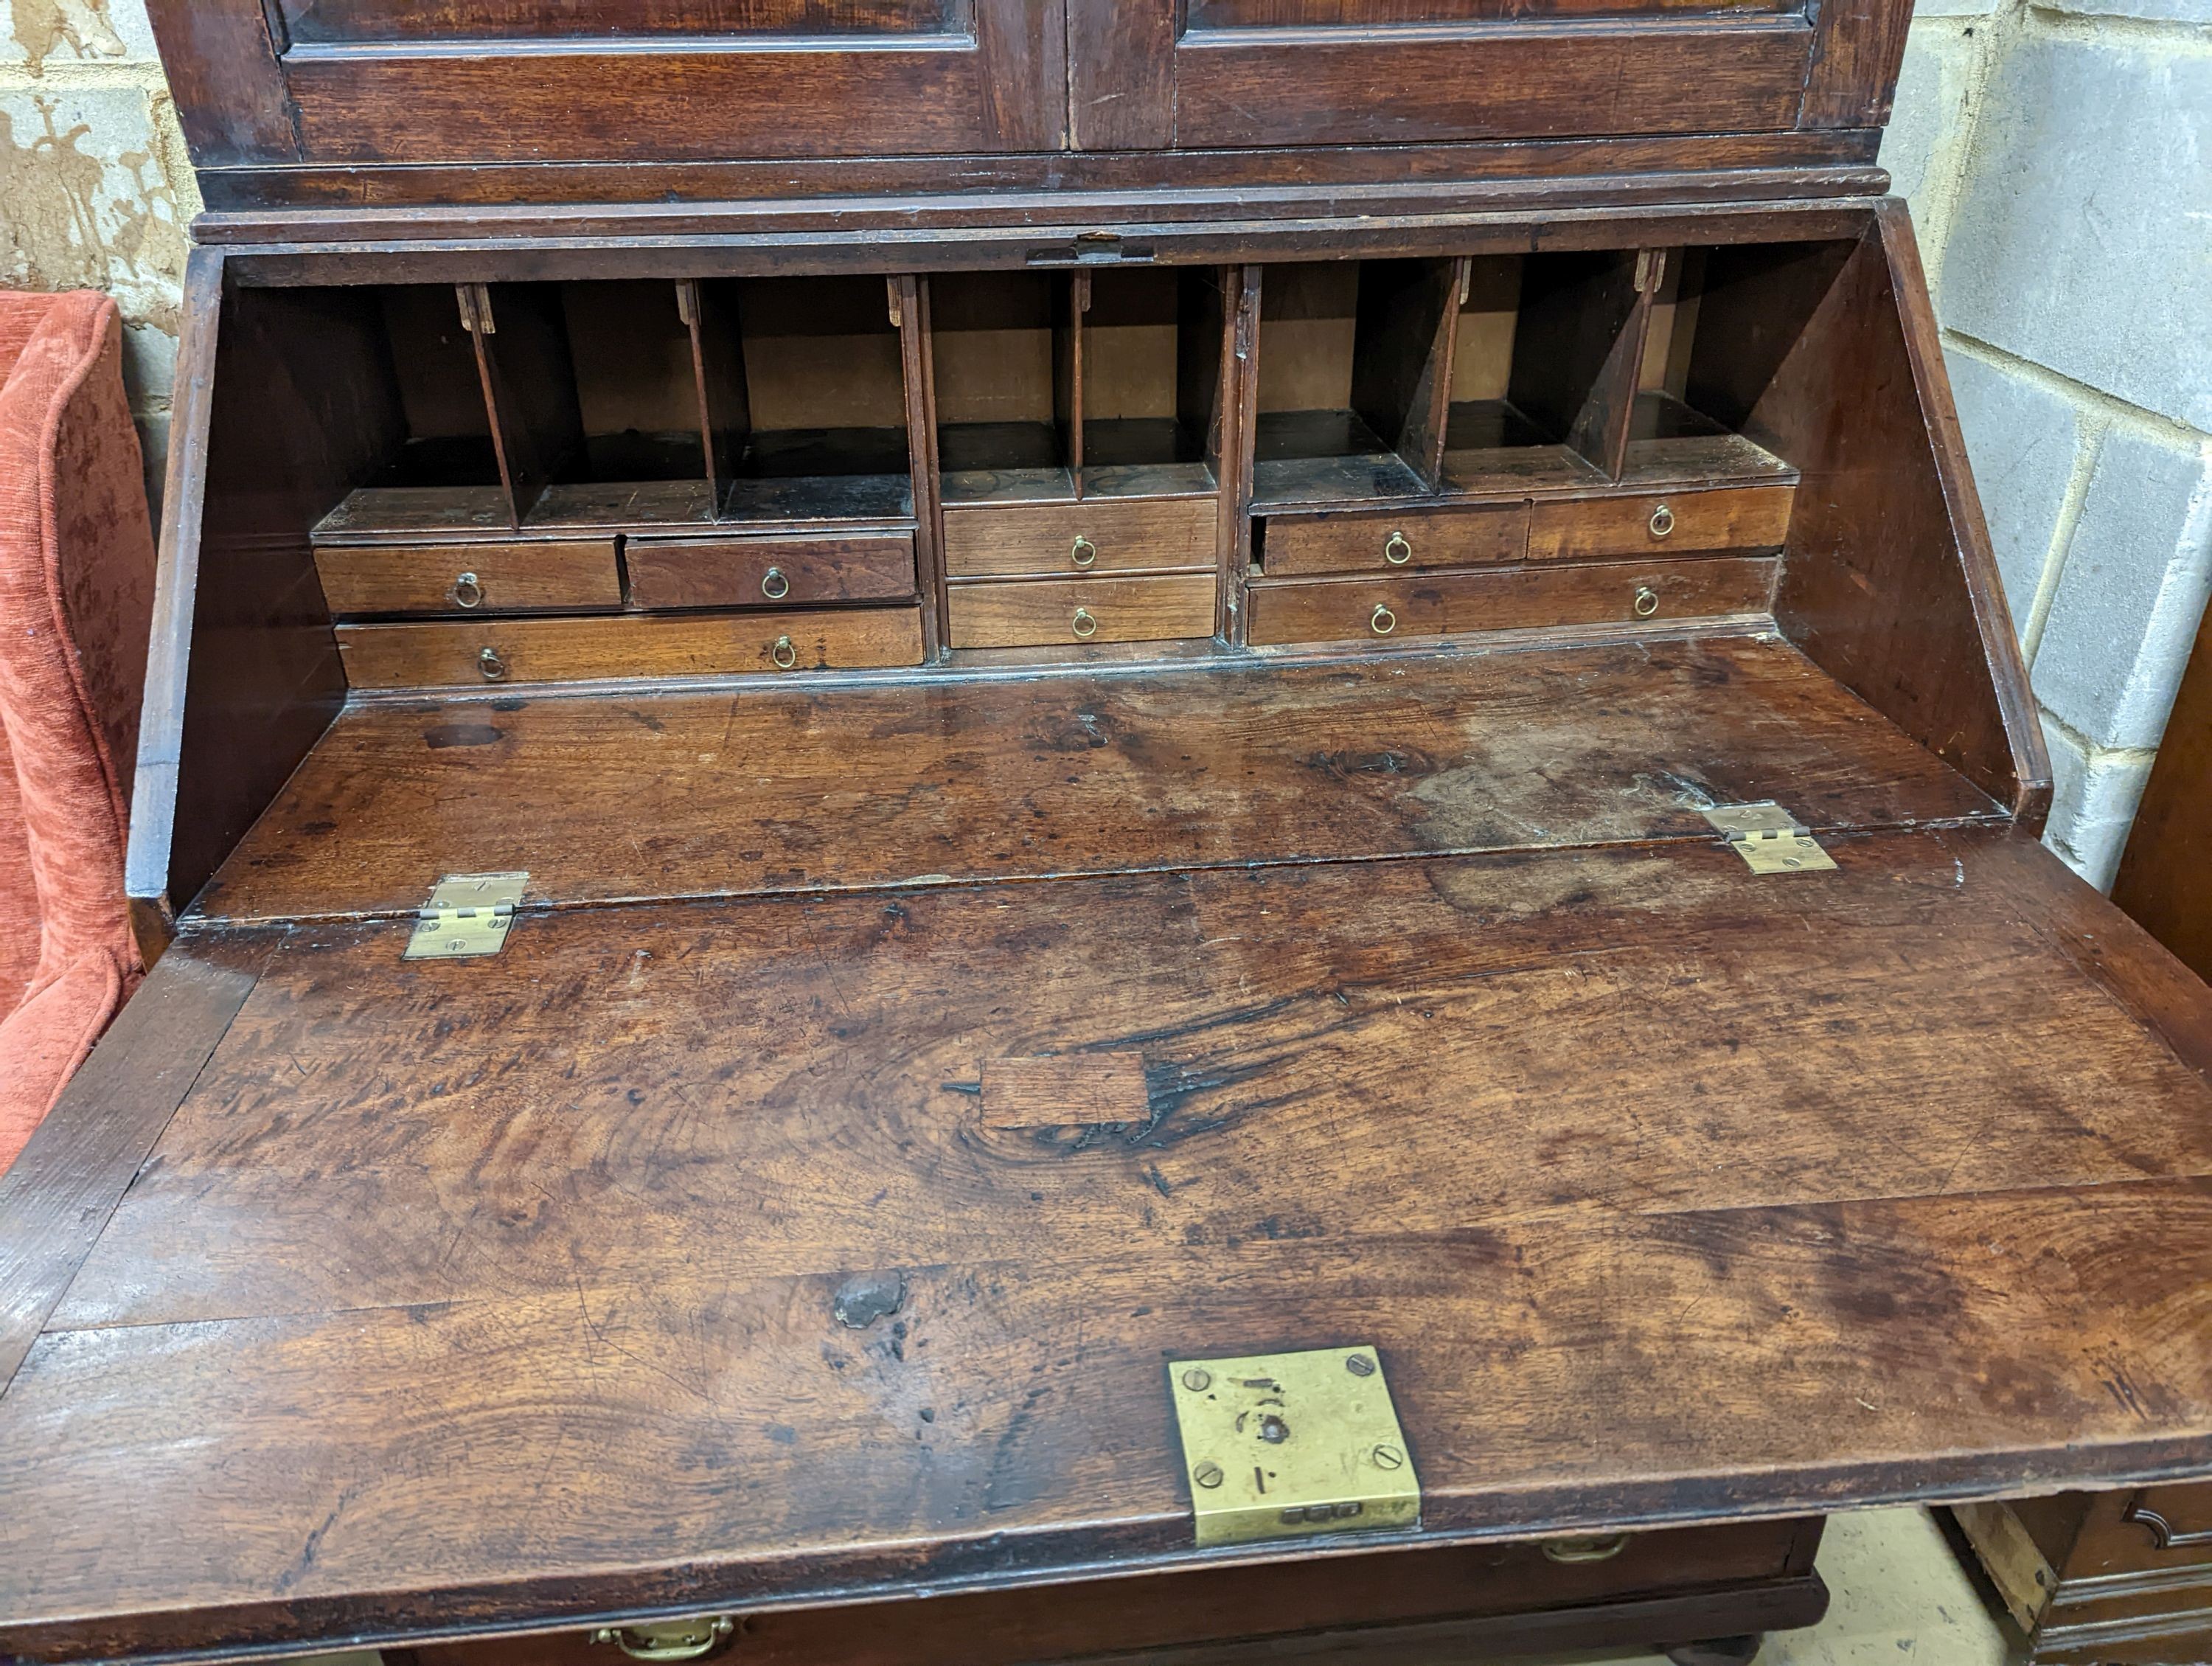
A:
(612, 81)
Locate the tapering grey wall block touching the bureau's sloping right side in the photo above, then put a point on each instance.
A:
(2023, 441)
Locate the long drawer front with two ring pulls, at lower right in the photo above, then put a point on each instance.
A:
(1519, 598)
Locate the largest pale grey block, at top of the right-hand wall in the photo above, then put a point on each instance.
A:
(2080, 236)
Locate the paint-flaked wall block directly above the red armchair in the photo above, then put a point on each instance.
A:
(85, 202)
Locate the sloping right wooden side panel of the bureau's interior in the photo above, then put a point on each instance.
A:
(1890, 581)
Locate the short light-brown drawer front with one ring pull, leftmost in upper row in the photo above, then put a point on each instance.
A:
(470, 579)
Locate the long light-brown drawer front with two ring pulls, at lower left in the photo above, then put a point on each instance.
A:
(545, 652)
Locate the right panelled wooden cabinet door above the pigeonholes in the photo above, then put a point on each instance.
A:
(1227, 74)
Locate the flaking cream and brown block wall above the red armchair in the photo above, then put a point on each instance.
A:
(96, 189)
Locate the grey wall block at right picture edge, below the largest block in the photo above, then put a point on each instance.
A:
(2131, 592)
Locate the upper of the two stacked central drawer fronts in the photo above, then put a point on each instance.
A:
(1098, 537)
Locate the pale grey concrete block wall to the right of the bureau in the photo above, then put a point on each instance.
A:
(2058, 158)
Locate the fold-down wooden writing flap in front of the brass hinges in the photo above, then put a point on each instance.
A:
(470, 1293)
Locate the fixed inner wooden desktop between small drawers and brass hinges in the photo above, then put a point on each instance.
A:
(731, 793)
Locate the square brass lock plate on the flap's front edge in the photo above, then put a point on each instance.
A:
(1284, 1446)
